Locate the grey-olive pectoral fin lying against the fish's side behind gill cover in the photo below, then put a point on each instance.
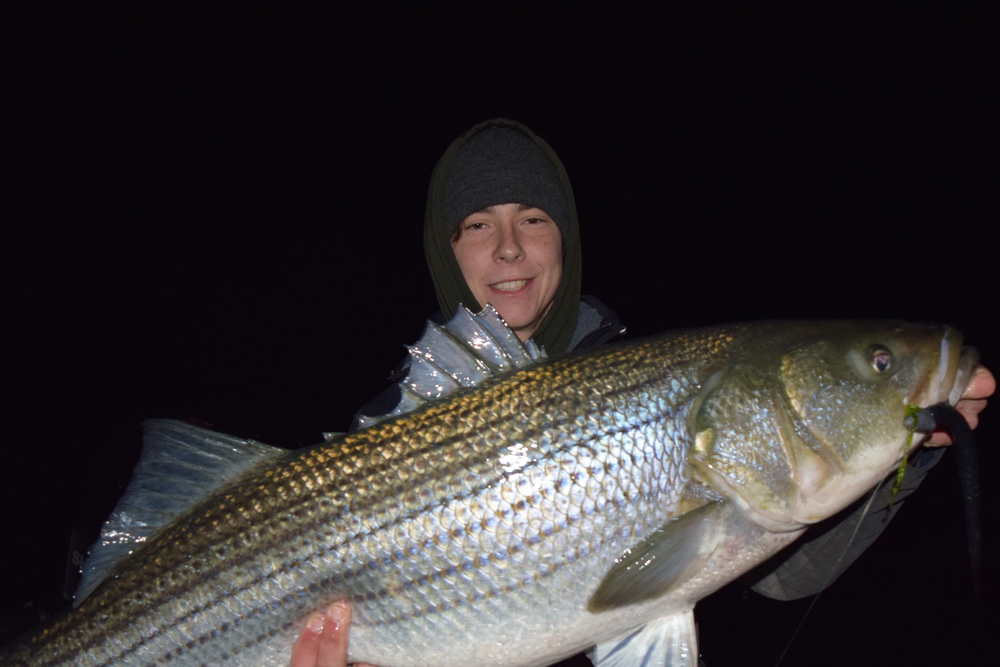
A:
(665, 559)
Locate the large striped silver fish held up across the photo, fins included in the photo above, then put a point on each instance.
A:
(524, 509)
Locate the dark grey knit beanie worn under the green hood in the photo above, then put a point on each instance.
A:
(501, 165)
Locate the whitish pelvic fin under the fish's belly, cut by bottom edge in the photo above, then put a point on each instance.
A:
(670, 641)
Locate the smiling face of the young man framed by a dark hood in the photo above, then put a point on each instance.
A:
(511, 257)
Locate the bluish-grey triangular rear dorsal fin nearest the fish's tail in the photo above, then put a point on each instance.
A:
(180, 465)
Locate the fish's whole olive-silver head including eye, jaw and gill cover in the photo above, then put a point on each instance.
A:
(815, 416)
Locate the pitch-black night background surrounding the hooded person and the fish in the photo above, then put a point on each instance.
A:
(220, 218)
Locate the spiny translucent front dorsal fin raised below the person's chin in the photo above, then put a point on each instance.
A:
(462, 353)
